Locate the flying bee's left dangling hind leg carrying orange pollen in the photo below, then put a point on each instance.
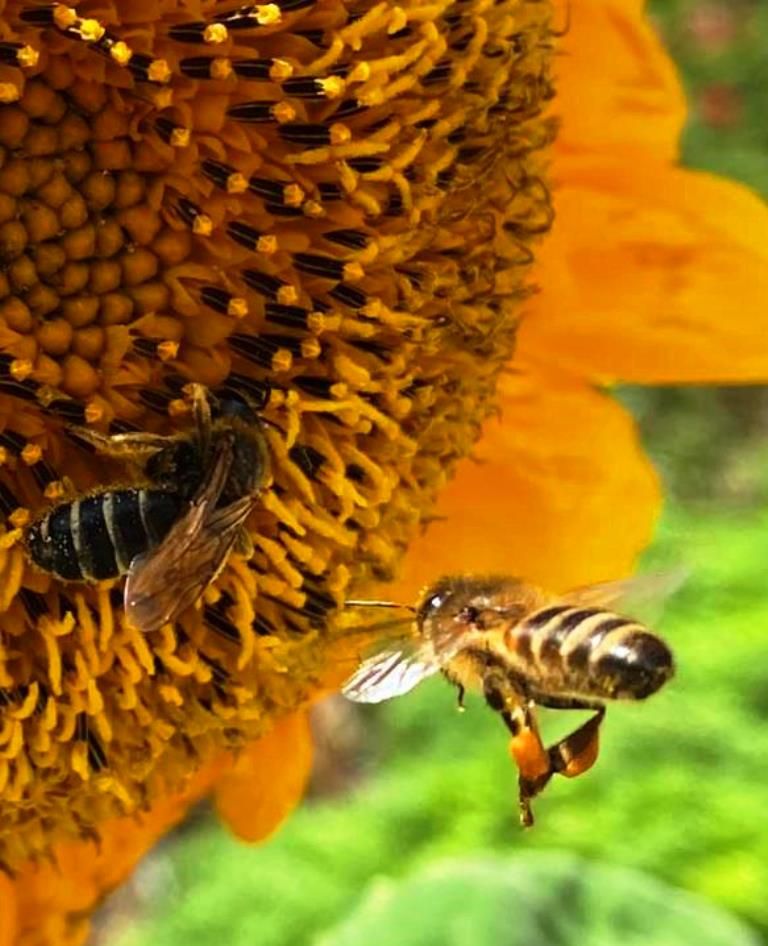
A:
(532, 759)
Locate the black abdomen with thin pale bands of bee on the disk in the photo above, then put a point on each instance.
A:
(97, 537)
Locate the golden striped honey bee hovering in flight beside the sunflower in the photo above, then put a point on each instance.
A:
(523, 648)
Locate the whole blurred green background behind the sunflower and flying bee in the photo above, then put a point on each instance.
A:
(410, 837)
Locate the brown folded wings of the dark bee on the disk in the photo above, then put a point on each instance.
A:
(170, 578)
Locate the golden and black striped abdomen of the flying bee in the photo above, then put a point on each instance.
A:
(592, 653)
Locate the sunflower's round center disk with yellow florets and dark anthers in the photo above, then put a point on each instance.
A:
(327, 207)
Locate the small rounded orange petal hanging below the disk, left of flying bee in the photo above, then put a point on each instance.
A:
(267, 780)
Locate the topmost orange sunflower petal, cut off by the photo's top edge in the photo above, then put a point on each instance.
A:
(617, 88)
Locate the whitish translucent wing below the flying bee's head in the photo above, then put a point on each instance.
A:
(391, 673)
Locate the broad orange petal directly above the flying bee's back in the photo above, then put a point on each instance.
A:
(562, 493)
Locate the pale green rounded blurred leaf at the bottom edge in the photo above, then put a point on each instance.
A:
(544, 899)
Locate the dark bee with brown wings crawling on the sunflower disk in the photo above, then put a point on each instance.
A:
(171, 535)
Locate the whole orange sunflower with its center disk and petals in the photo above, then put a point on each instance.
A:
(333, 210)
